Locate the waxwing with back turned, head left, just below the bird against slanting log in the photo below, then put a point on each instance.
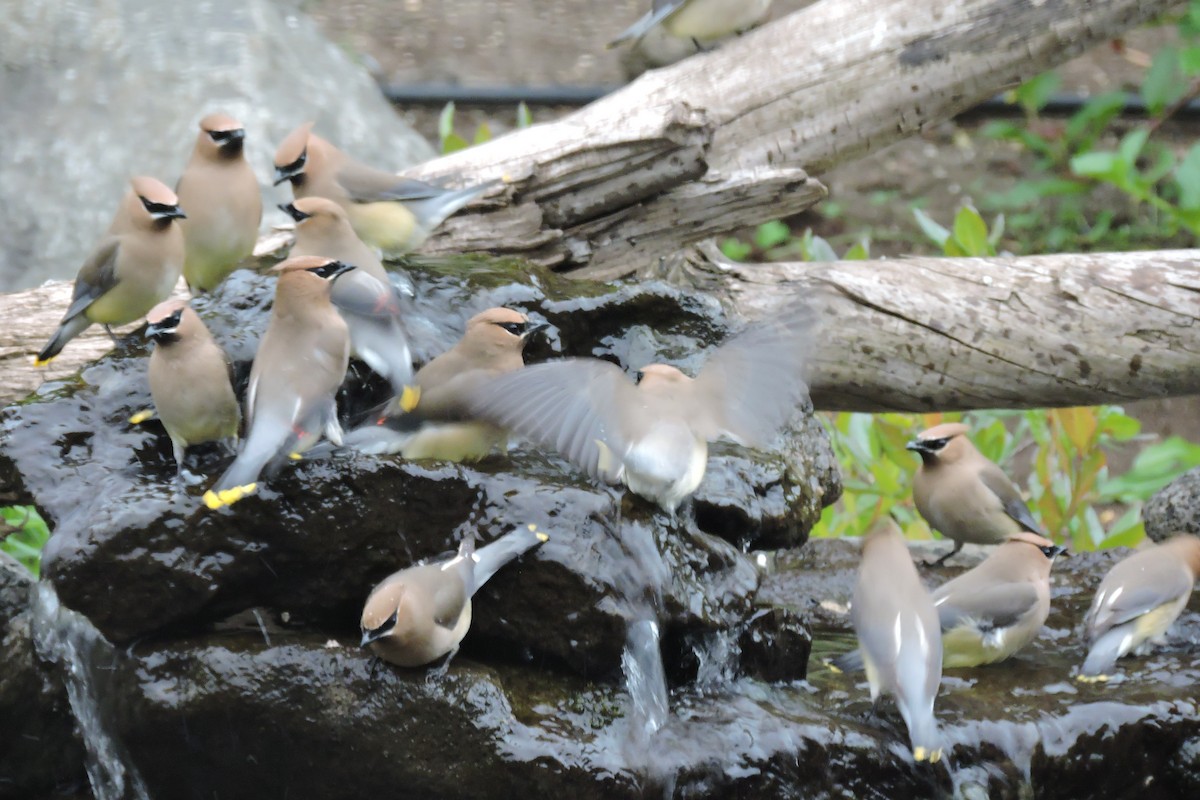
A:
(367, 299)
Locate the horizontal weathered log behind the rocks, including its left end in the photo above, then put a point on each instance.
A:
(917, 334)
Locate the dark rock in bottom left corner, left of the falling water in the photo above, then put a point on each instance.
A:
(40, 751)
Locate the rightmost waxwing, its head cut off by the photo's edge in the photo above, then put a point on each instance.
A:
(1138, 601)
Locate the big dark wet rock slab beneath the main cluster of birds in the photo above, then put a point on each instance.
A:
(141, 557)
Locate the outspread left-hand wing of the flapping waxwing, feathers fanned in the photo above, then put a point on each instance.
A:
(572, 407)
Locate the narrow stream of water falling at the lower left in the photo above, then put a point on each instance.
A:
(71, 641)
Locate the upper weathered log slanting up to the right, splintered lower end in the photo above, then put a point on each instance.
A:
(728, 139)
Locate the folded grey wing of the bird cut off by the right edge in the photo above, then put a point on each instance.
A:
(1135, 588)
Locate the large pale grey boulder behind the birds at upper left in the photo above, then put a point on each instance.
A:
(123, 86)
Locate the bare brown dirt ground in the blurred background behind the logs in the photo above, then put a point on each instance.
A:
(561, 43)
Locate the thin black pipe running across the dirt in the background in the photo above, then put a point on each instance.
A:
(440, 95)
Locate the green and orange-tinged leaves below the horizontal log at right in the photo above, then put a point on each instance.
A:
(1063, 452)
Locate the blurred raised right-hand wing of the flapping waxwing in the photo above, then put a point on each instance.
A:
(753, 383)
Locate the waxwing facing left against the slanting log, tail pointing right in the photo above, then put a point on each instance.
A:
(391, 213)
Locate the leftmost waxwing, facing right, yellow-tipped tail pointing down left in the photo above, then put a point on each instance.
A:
(134, 268)
